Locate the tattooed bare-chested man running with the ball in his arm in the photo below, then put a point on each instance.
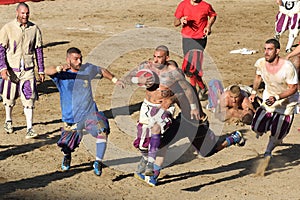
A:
(157, 108)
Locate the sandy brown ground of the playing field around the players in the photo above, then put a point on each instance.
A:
(105, 32)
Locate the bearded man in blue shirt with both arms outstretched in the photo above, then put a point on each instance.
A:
(79, 110)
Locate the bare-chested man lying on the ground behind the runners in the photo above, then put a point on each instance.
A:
(235, 105)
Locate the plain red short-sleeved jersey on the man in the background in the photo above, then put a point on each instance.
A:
(197, 18)
